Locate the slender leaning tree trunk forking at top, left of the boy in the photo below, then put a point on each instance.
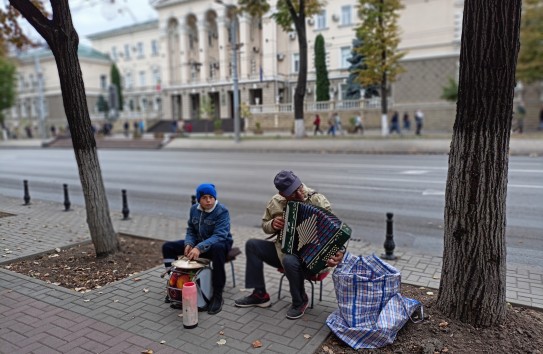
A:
(63, 41)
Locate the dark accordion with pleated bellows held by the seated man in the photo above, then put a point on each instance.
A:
(312, 233)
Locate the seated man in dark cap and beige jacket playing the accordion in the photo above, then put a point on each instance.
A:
(290, 188)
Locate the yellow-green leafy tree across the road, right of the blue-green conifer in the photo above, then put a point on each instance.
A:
(380, 37)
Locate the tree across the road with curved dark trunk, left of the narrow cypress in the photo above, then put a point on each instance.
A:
(290, 15)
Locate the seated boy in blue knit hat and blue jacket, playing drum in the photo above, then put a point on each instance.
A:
(208, 236)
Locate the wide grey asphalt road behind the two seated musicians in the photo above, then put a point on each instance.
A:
(362, 189)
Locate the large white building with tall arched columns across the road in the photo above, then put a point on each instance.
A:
(175, 66)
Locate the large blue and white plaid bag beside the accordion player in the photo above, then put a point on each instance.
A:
(371, 310)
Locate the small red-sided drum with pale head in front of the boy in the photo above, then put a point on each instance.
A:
(184, 271)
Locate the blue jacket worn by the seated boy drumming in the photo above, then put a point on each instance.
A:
(205, 229)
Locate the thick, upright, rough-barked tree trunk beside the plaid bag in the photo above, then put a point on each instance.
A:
(473, 286)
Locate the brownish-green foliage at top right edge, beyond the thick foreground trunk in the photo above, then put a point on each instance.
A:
(530, 60)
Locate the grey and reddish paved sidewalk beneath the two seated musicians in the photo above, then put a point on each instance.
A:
(130, 317)
